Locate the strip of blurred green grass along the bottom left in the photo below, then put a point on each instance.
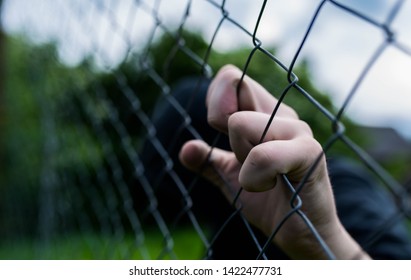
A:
(186, 245)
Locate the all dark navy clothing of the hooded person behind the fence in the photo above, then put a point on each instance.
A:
(364, 208)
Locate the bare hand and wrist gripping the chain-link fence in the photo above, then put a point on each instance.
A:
(257, 167)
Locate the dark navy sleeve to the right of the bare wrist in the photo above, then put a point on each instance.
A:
(368, 213)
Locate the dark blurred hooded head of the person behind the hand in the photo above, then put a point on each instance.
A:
(177, 118)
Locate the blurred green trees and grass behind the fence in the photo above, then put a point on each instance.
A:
(50, 148)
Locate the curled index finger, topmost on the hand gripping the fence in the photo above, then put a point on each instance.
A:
(223, 99)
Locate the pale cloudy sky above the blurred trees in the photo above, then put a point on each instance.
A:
(339, 46)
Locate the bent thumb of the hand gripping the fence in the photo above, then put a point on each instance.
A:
(218, 166)
